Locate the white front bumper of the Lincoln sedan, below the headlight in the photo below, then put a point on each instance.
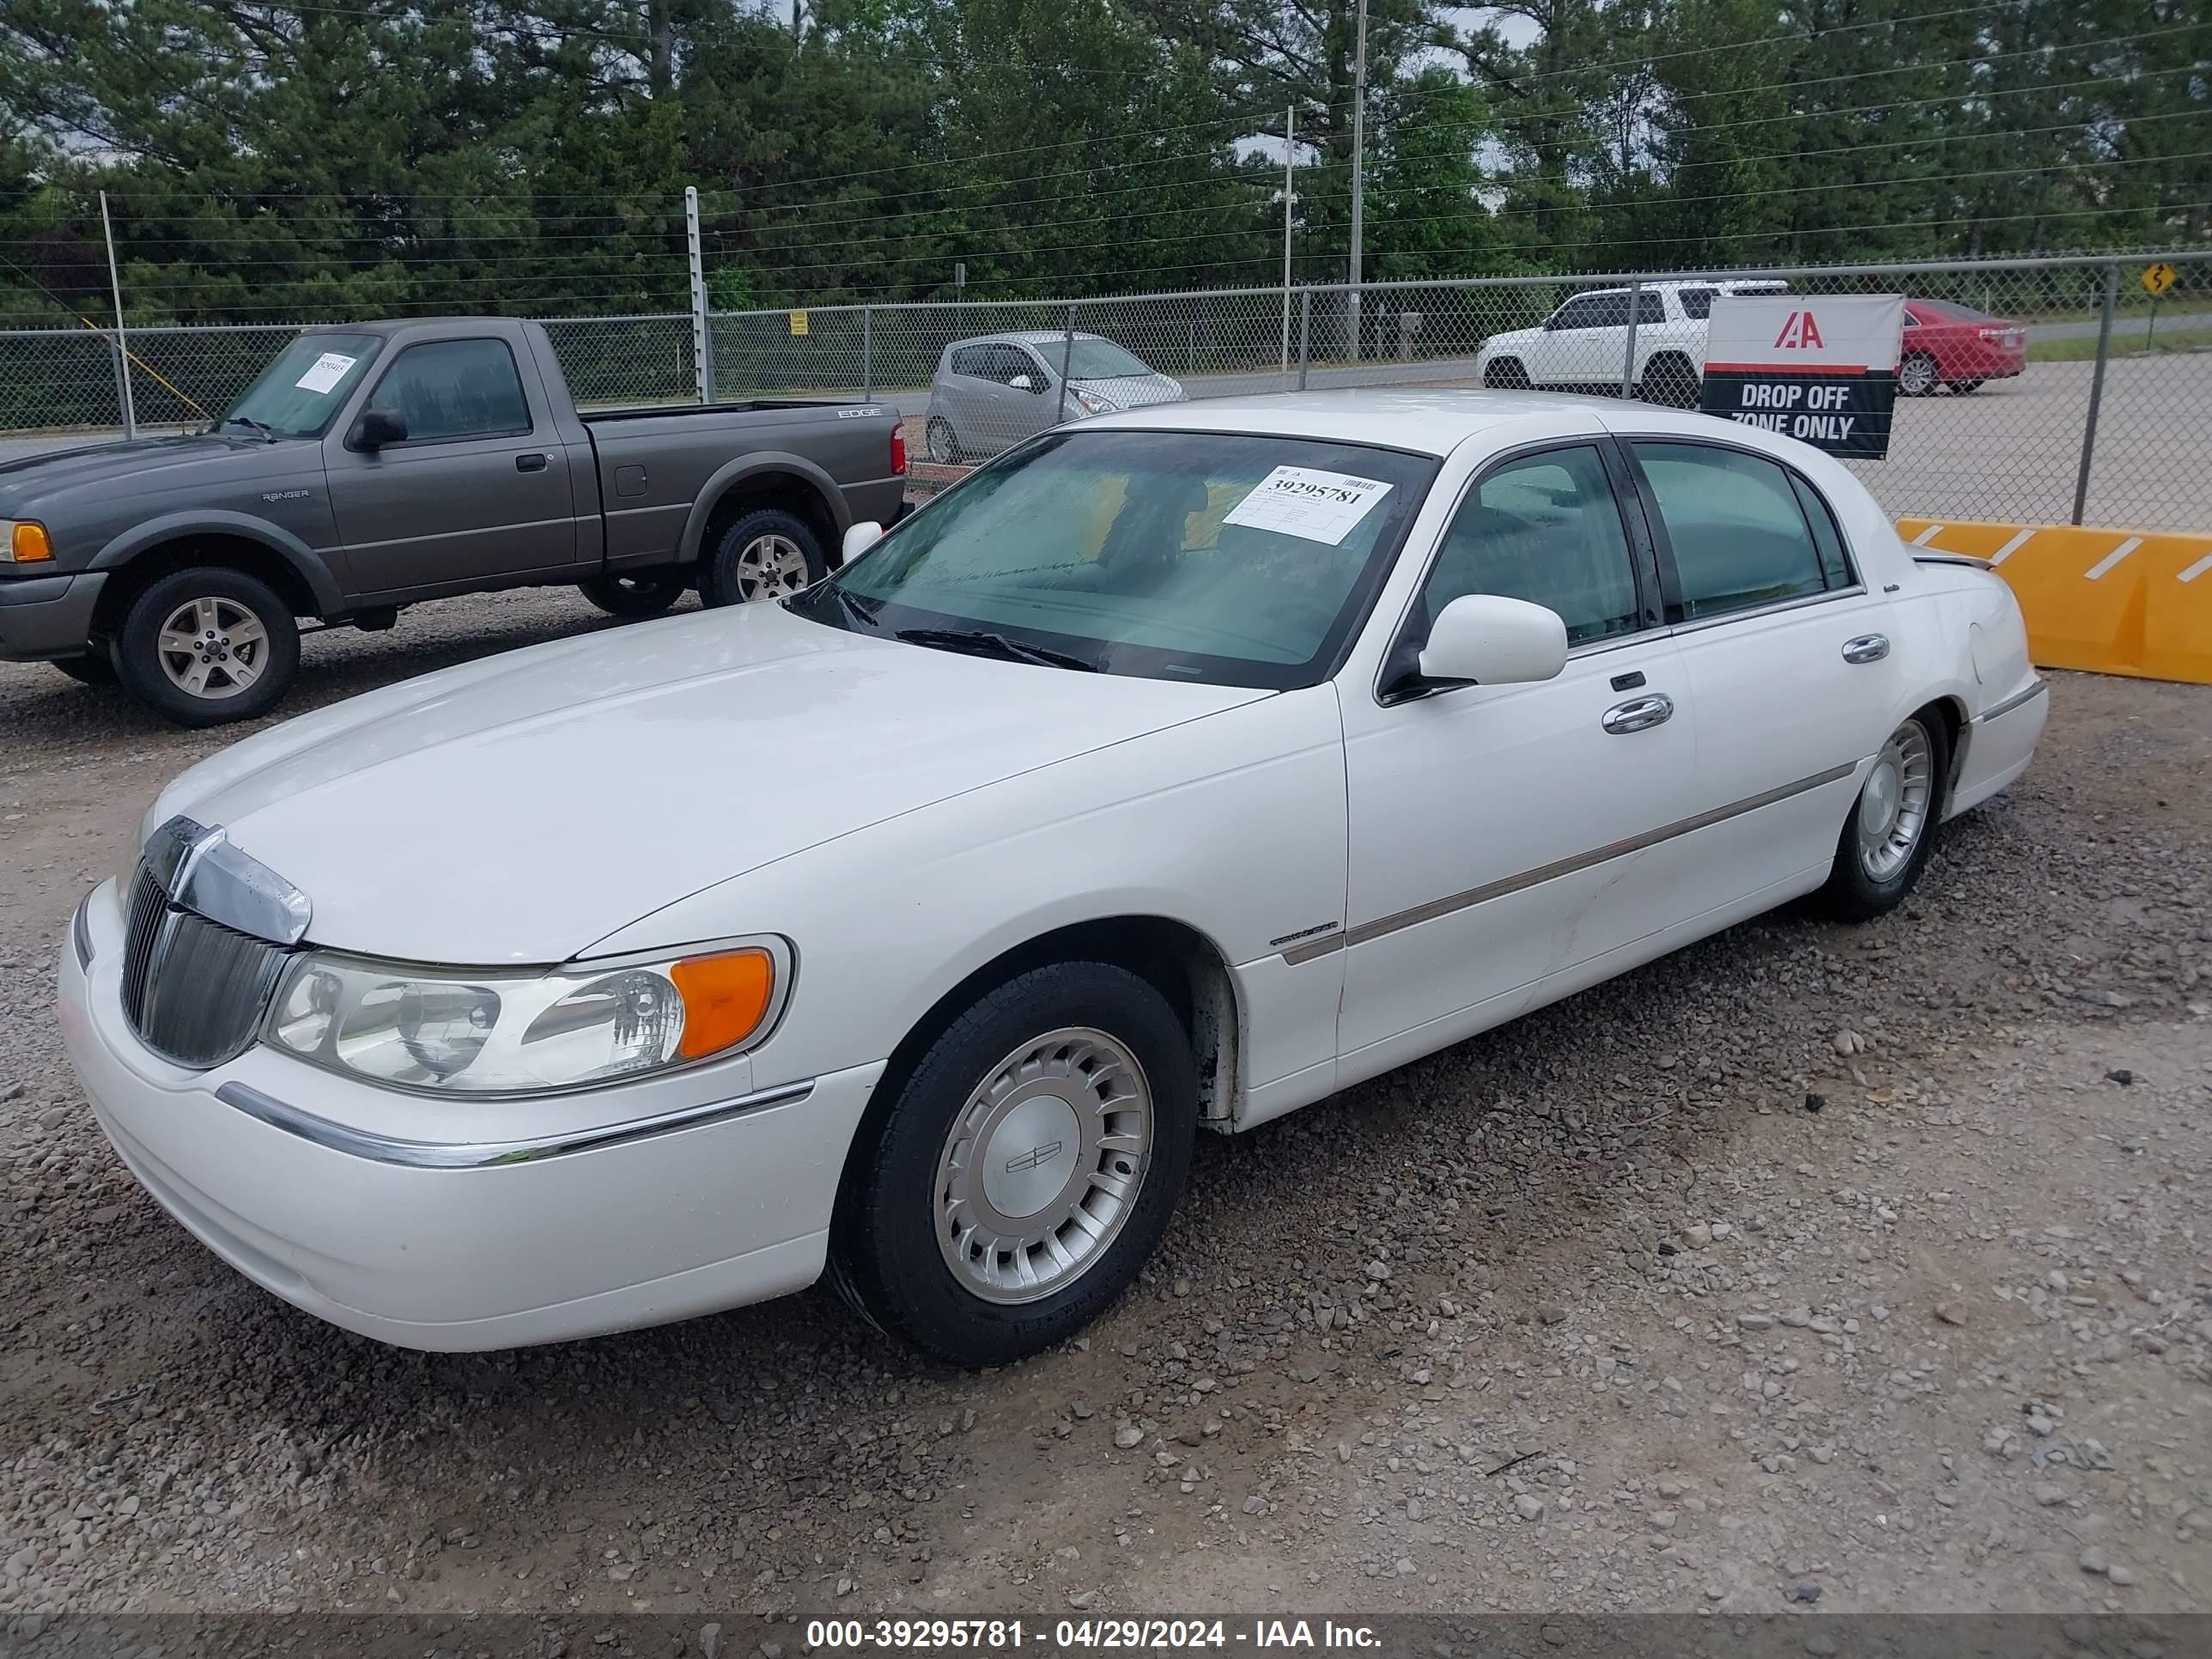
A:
(315, 1191)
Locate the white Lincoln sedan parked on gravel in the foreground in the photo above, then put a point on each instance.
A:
(1171, 773)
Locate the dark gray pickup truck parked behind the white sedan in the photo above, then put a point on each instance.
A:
(384, 463)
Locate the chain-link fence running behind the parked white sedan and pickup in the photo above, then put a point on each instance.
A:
(2038, 390)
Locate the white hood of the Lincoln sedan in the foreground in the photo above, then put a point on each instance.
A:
(528, 806)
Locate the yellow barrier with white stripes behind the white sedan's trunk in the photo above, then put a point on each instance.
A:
(2114, 603)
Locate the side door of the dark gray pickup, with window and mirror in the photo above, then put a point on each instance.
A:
(477, 490)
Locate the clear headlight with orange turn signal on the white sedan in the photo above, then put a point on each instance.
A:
(521, 1034)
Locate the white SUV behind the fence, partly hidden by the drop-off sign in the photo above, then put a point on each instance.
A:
(1585, 344)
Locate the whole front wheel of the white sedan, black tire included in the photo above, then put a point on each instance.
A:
(908, 1189)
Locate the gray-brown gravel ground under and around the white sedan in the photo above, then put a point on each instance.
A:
(1806, 1271)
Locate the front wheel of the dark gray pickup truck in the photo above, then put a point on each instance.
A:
(233, 638)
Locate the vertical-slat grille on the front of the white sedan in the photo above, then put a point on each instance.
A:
(194, 990)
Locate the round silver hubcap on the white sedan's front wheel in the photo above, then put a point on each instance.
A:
(1043, 1167)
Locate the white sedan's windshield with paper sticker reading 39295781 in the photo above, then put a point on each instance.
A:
(1218, 559)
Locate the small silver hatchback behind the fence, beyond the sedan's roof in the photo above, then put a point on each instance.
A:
(1001, 388)
